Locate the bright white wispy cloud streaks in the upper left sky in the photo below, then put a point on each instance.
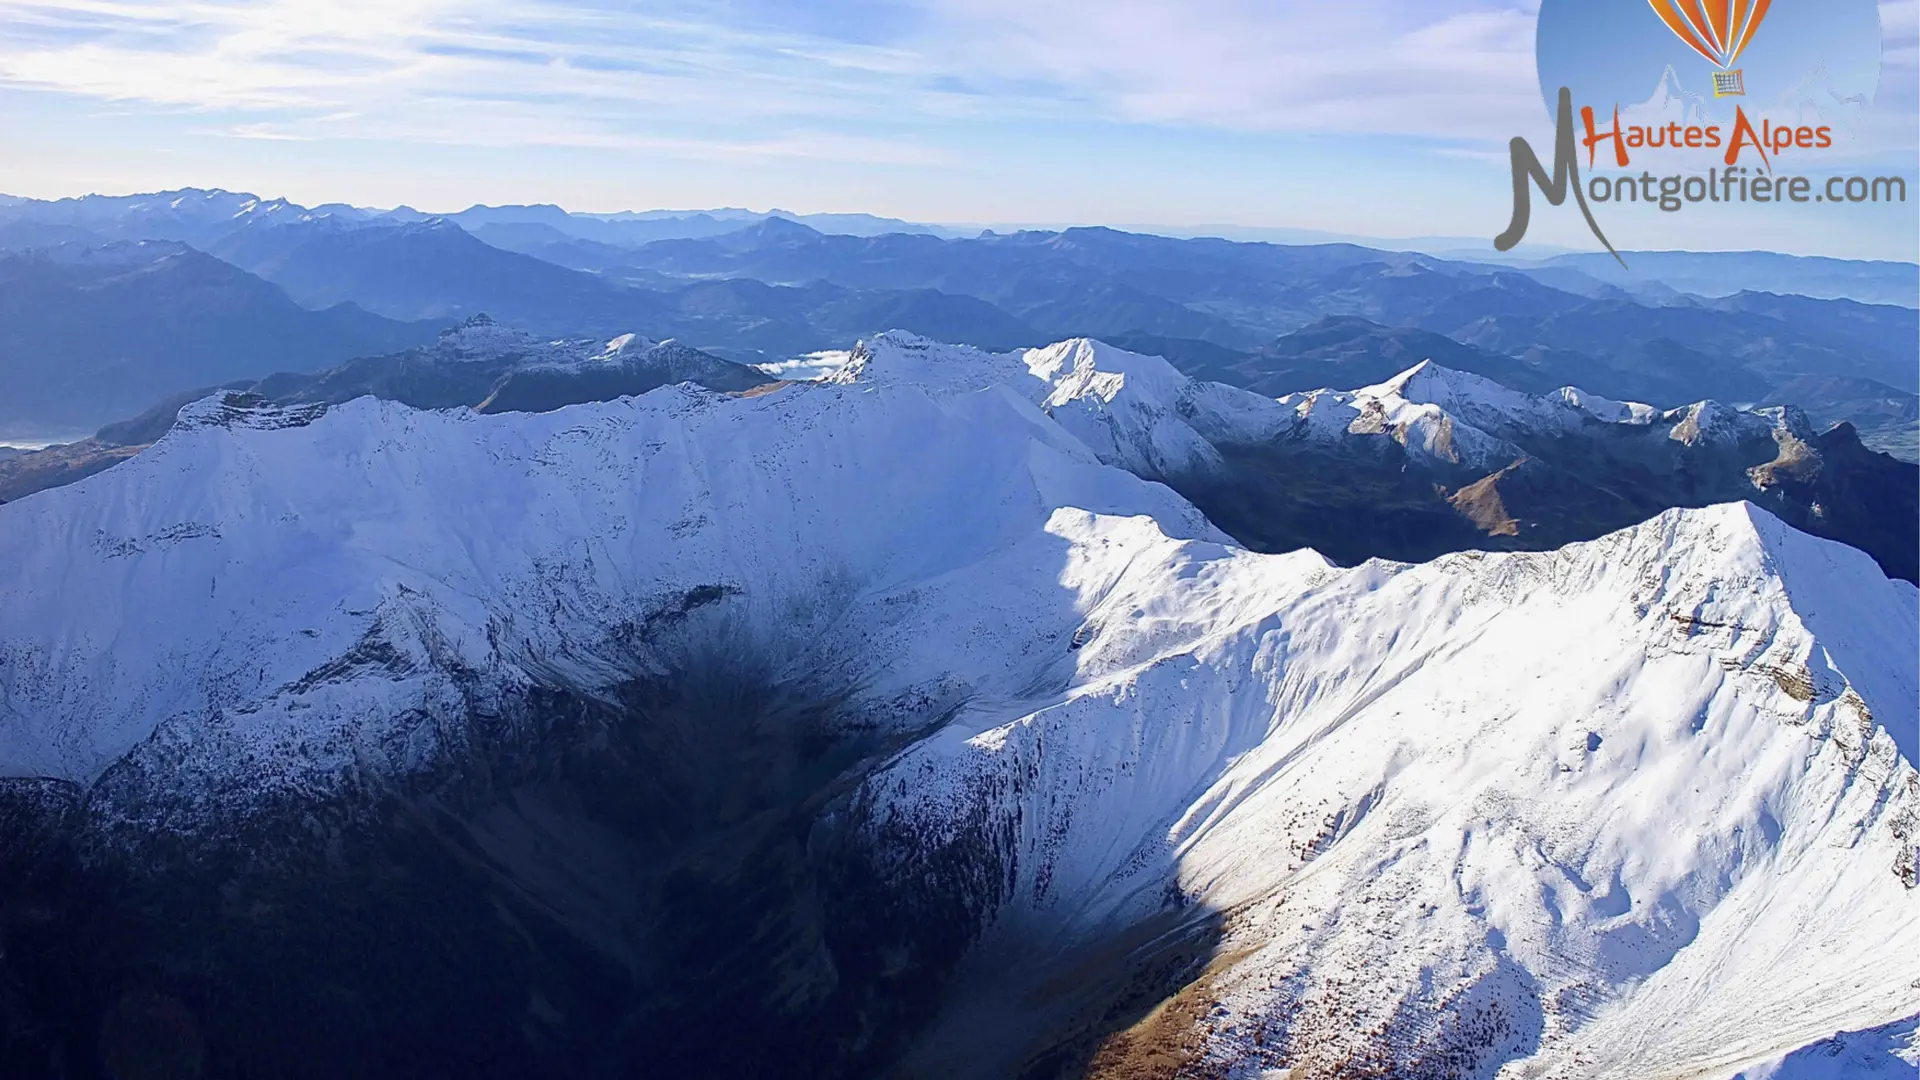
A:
(475, 74)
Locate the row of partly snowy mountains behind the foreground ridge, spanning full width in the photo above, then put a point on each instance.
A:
(1426, 462)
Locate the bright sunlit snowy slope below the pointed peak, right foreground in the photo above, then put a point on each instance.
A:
(1593, 802)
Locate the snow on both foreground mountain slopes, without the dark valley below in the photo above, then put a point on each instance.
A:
(1643, 806)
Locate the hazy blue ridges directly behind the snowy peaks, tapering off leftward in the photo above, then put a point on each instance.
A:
(1241, 297)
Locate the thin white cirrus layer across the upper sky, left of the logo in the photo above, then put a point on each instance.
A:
(746, 78)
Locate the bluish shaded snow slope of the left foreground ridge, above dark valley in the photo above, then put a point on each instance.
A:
(254, 547)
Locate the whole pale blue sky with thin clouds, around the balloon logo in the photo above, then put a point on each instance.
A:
(1383, 118)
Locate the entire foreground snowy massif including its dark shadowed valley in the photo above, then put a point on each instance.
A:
(898, 724)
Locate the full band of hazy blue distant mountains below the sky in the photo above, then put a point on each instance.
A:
(769, 287)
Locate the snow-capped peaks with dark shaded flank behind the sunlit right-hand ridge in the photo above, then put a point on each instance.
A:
(1439, 460)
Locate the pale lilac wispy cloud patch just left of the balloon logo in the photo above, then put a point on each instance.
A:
(1362, 66)
